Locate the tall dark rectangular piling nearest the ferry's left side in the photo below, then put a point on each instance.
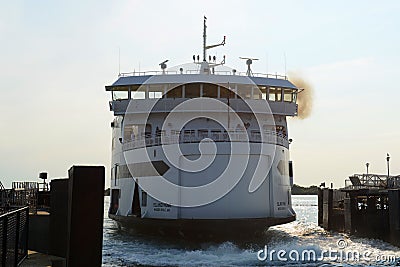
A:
(85, 216)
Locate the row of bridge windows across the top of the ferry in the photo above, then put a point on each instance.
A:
(194, 90)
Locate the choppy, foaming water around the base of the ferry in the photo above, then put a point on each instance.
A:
(298, 241)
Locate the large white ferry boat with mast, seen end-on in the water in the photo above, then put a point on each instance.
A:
(201, 149)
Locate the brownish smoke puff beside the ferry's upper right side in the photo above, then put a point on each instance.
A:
(305, 97)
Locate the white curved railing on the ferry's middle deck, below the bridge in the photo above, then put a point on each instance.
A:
(267, 137)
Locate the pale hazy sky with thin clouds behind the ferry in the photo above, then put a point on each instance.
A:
(57, 56)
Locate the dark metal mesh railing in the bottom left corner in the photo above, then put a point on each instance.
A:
(14, 236)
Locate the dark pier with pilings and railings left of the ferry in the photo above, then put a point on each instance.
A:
(58, 224)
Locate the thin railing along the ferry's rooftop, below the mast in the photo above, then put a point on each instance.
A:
(196, 71)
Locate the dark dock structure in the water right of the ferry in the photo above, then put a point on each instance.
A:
(368, 205)
